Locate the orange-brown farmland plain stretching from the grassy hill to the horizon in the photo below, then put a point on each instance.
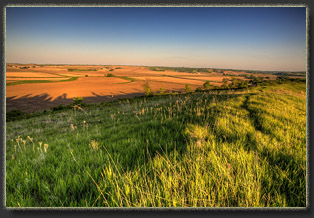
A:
(32, 87)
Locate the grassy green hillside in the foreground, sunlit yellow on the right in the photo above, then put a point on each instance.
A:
(237, 148)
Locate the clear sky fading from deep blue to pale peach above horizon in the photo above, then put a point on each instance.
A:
(252, 38)
